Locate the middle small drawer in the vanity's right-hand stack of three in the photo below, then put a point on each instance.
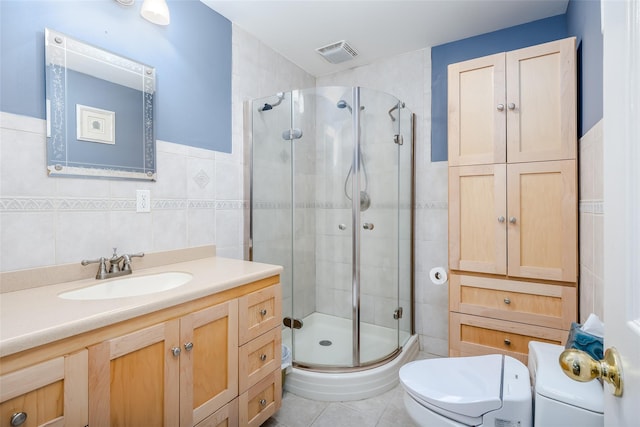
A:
(259, 357)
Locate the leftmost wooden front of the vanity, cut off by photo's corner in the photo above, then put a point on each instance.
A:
(51, 393)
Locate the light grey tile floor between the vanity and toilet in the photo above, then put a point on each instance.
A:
(386, 410)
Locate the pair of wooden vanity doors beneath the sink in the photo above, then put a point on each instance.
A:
(174, 373)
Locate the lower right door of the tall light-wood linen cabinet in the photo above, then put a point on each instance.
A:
(543, 218)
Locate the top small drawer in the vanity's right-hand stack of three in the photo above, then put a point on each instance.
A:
(259, 312)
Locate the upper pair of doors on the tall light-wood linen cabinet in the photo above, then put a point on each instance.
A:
(518, 106)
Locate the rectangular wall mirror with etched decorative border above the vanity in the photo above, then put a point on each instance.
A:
(99, 112)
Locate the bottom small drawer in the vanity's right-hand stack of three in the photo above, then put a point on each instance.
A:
(261, 401)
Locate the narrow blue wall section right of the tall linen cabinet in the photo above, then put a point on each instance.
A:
(583, 21)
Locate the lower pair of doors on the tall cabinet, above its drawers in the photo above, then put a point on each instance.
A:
(518, 220)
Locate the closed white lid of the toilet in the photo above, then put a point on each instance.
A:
(464, 385)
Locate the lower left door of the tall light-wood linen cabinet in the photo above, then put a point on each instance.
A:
(477, 219)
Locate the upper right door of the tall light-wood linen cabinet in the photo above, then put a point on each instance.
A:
(542, 102)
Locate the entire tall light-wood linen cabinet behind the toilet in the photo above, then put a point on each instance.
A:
(513, 218)
